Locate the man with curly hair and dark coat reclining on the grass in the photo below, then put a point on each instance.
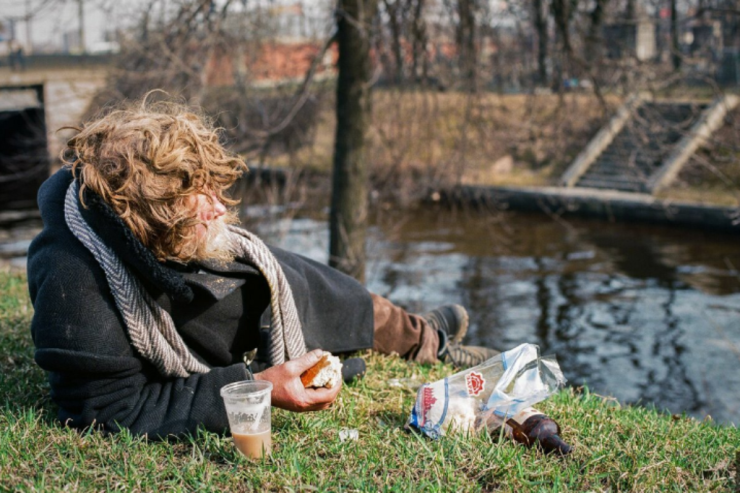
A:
(148, 296)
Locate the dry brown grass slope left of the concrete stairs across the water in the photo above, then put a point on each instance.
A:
(453, 136)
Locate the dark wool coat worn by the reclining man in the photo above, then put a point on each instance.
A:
(96, 376)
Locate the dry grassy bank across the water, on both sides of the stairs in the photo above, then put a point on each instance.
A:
(421, 138)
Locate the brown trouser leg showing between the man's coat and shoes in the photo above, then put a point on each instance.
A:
(403, 333)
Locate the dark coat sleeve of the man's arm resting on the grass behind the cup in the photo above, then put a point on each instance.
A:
(96, 377)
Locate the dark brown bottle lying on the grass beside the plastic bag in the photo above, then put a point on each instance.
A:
(531, 427)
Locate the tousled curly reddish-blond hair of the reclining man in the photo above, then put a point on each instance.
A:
(147, 160)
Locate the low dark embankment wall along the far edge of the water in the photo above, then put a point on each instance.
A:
(555, 202)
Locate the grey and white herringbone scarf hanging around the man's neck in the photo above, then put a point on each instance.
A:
(151, 329)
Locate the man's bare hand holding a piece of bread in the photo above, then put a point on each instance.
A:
(287, 390)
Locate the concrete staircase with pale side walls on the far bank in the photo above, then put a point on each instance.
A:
(644, 146)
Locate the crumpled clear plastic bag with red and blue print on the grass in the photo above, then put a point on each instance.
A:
(486, 395)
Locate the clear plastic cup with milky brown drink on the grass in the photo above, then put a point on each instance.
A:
(248, 408)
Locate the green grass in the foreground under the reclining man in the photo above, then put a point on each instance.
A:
(616, 448)
